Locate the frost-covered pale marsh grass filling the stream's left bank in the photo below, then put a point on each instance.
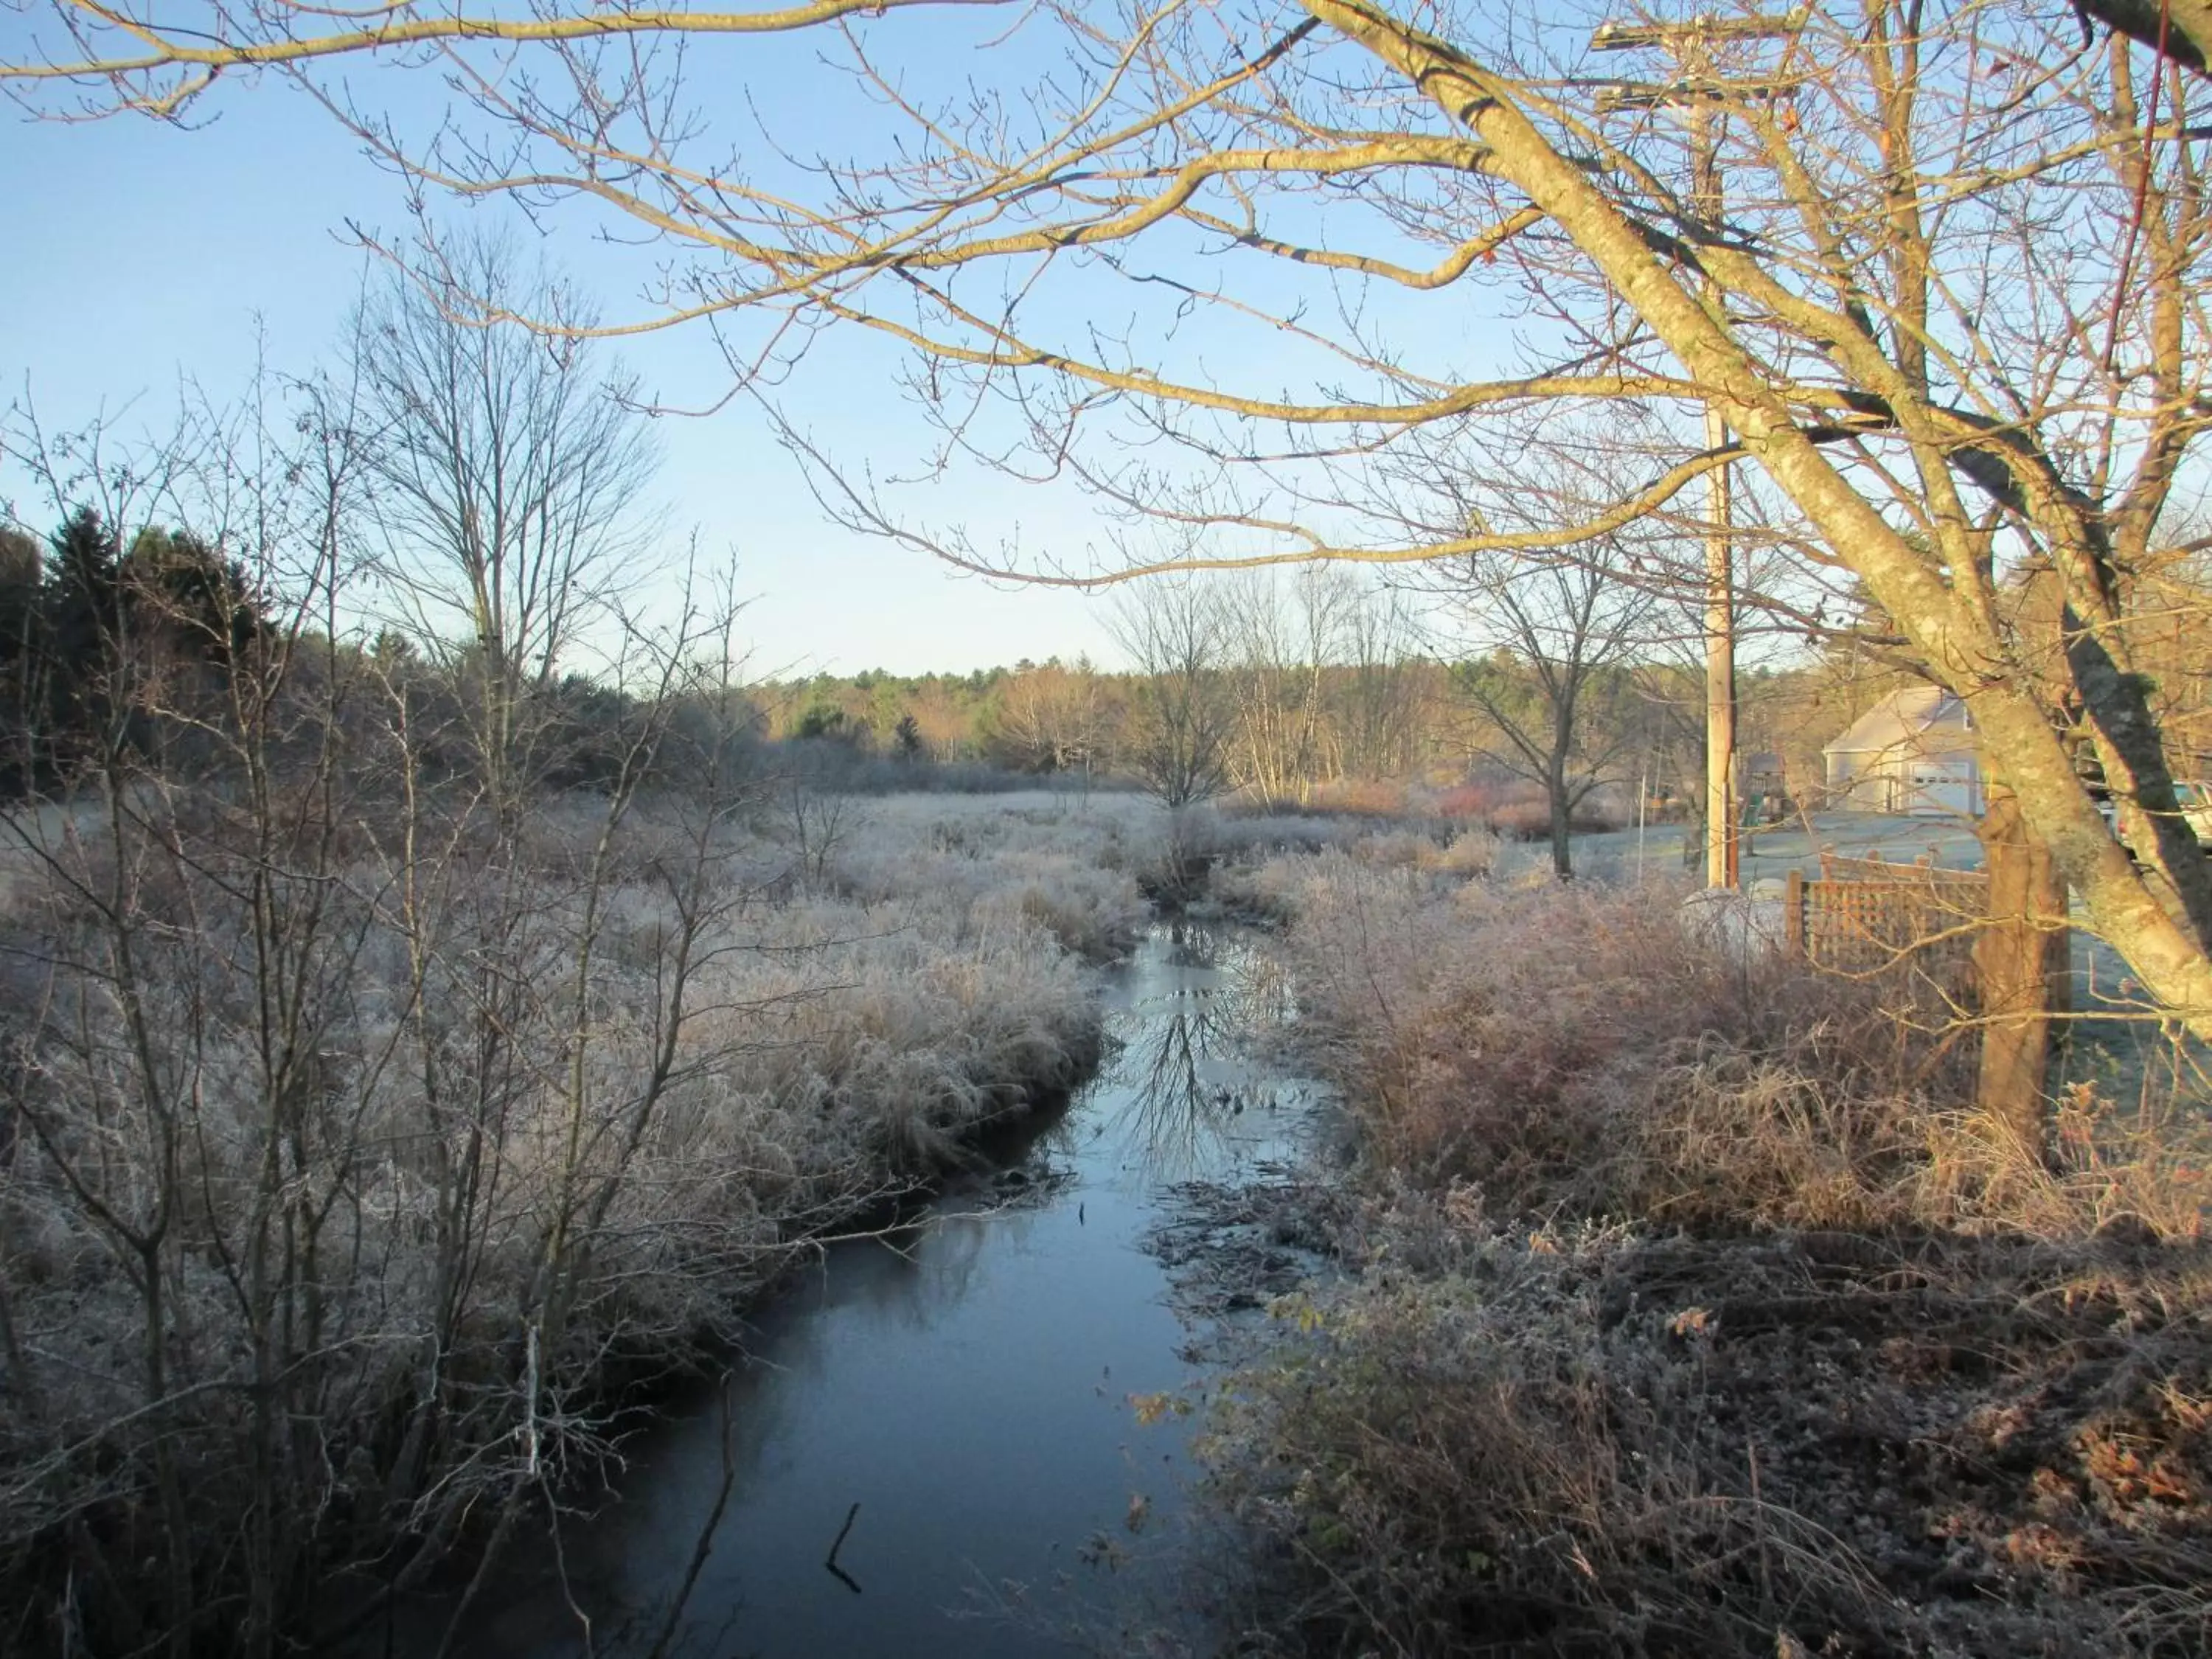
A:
(430, 1145)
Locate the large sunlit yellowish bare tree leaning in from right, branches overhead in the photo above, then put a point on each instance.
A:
(1945, 298)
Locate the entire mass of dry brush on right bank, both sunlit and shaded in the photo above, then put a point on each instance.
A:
(1693, 1311)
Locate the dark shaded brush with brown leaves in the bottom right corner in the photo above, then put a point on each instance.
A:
(1600, 1443)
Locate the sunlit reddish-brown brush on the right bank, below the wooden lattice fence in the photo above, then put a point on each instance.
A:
(1583, 1052)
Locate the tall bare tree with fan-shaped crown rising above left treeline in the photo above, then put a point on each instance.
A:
(508, 479)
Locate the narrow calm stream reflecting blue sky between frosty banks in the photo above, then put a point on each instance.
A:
(954, 1408)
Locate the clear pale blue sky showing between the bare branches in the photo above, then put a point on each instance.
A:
(147, 253)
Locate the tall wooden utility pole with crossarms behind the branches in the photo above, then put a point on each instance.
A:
(1700, 94)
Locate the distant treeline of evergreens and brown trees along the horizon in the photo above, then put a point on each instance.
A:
(85, 614)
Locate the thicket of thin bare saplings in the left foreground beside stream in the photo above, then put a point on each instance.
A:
(326, 1089)
